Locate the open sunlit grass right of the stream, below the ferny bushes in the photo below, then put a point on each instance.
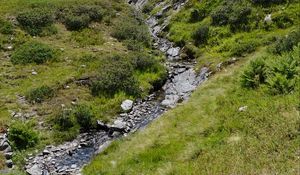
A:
(208, 135)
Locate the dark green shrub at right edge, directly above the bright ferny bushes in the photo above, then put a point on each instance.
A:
(285, 44)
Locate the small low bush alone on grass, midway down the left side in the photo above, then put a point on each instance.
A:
(40, 94)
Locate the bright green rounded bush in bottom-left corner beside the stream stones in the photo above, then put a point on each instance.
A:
(22, 136)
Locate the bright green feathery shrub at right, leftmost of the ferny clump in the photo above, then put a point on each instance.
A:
(255, 74)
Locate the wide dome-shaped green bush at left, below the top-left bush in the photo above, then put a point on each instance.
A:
(32, 52)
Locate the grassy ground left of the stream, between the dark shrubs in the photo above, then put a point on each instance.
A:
(18, 79)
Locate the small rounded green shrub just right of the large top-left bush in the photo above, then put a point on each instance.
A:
(77, 22)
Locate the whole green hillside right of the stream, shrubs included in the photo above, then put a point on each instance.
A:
(245, 118)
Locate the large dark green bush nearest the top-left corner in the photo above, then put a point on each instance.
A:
(34, 20)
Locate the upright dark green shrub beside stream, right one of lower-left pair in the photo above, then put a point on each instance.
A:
(84, 117)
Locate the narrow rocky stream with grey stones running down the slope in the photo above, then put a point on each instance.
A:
(70, 157)
